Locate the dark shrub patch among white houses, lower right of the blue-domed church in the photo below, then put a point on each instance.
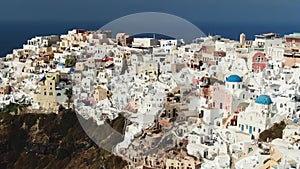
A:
(274, 132)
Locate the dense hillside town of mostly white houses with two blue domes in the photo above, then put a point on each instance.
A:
(214, 97)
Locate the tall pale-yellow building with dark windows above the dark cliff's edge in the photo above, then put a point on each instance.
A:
(46, 98)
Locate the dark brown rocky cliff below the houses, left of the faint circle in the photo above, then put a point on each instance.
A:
(50, 141)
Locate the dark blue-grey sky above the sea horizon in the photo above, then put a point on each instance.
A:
(192, 10)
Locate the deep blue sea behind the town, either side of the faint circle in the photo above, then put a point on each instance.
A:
(14, 34)
